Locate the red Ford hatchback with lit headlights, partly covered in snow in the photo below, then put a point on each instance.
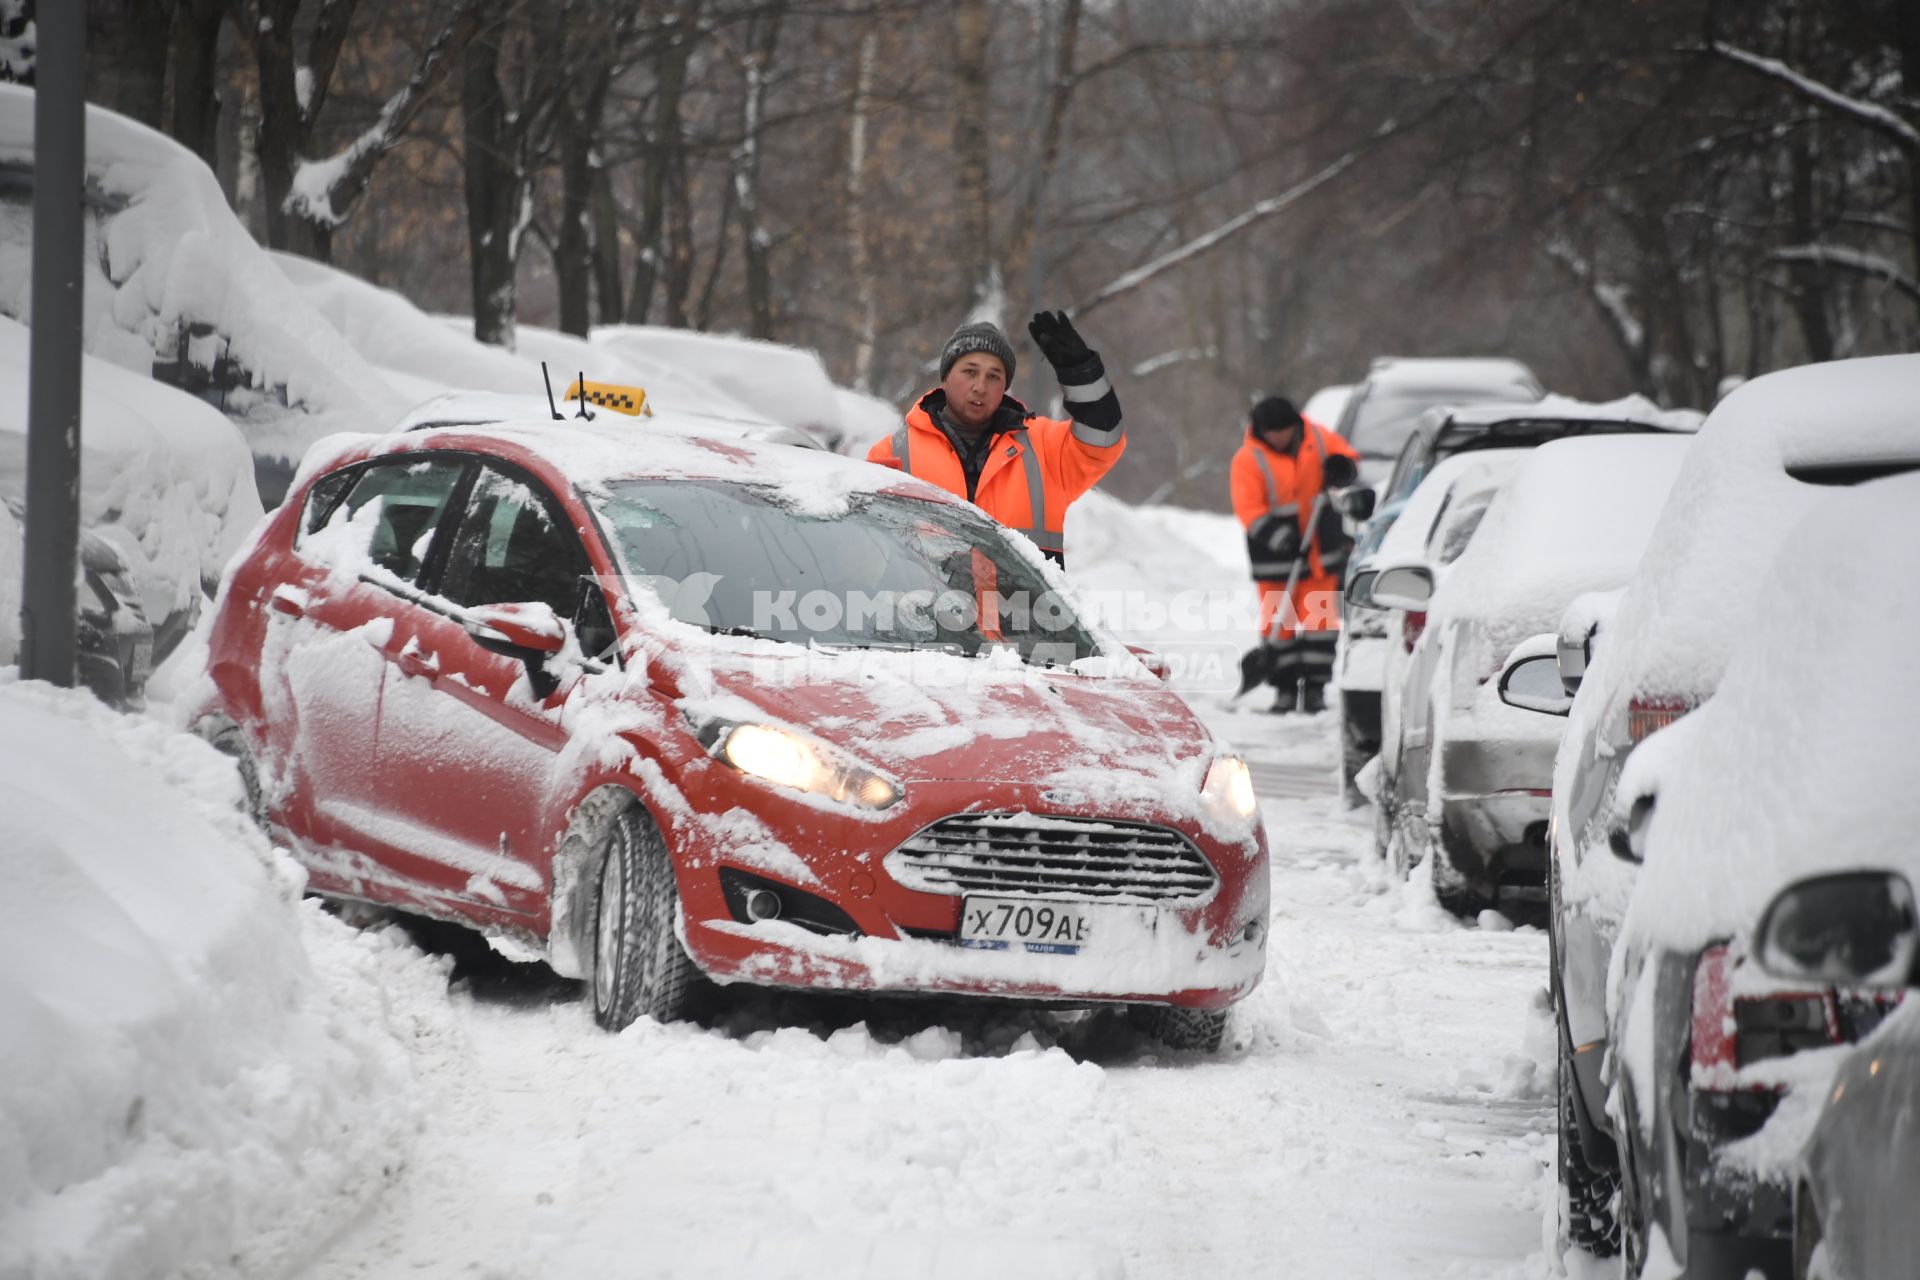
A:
(667, 707)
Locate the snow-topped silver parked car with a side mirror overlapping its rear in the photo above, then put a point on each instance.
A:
(1468, 776)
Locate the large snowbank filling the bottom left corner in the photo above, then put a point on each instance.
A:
(201, 1074)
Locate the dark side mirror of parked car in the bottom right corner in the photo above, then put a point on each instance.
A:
(1852, 930)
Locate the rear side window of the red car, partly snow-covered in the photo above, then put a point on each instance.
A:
(389, 517)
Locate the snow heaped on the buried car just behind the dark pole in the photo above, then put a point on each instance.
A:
(164, 477)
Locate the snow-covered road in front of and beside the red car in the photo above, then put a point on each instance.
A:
(1381, 1108)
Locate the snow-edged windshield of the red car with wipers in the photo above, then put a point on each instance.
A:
(890, 573)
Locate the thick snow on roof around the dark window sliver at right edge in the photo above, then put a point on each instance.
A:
(1735, 504)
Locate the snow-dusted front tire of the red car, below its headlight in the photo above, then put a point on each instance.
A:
(640, 968)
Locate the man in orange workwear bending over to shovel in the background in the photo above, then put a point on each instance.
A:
(1282, 465)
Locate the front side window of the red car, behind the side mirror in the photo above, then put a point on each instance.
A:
(514, 546)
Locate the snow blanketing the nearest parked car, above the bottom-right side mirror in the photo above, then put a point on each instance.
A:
(1802, 761)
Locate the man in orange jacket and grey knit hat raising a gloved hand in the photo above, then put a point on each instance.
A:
(978, 442)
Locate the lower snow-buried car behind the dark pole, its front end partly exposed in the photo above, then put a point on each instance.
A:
(166, 498)
